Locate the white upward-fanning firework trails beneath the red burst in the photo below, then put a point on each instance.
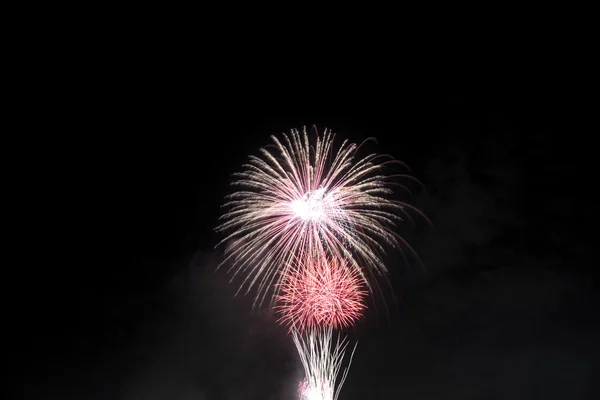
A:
(322, 359)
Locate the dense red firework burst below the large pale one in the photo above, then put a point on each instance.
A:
(321, 293)
